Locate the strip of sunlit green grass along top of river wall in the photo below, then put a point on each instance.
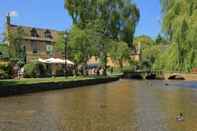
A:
(29, 81)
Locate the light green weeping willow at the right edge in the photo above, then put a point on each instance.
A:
(179, 24)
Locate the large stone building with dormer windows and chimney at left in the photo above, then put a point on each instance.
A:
(38, 42)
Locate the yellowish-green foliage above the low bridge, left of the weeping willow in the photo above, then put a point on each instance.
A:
(150, 51)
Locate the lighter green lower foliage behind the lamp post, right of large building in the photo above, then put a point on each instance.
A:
(88, 42)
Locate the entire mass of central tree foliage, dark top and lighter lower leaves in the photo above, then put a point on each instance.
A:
(99, 25)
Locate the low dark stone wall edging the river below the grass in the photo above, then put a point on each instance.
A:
(23, 89)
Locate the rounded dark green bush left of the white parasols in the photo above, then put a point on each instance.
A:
(35, 70)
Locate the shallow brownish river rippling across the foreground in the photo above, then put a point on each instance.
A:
(124, 105)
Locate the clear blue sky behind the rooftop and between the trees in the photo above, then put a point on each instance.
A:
(51, 14)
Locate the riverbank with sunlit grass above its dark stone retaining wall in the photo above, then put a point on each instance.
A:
(23, 86)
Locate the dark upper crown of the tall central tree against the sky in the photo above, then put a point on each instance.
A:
(120, 16)
